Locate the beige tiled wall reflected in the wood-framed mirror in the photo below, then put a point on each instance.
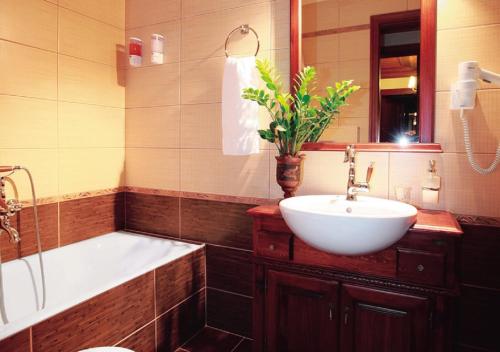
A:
(345, 55)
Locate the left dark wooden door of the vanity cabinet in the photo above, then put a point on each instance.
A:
(301, 313)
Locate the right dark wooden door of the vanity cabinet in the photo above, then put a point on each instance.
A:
(381, 321)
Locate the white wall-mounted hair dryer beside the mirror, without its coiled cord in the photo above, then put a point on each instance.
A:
(464, 91)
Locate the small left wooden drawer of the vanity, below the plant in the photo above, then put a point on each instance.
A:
(273, 245)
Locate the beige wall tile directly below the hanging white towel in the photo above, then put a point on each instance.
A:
(208, 171)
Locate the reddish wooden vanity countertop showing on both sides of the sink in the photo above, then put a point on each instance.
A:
(427, 220)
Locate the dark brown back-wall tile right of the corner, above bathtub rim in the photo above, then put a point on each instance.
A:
(152, 213)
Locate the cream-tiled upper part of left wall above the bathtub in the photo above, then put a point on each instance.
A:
(62, 94)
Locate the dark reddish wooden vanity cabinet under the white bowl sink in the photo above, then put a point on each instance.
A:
(396, 300)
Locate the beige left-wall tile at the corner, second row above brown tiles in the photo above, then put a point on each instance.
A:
(90, 126)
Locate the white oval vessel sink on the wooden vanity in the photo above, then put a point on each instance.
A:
(335, 225)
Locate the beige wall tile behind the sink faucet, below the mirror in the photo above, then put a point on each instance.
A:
(326, 173)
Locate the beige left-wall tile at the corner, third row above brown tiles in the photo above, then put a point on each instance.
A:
(83, 81)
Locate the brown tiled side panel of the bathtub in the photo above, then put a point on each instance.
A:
(159, 310)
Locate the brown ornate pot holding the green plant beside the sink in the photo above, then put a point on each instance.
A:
(289, 173)
